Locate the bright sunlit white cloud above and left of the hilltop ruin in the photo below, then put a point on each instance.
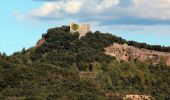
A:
(56, 9)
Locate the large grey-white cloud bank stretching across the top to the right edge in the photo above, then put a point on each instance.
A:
(107, 12)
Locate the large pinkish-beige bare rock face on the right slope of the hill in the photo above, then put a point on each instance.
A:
(123, 52)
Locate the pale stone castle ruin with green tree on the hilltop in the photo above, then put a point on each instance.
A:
(82, 29)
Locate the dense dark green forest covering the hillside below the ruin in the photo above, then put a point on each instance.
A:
(52, 70)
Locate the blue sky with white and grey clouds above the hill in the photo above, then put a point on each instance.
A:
(22, 22)
